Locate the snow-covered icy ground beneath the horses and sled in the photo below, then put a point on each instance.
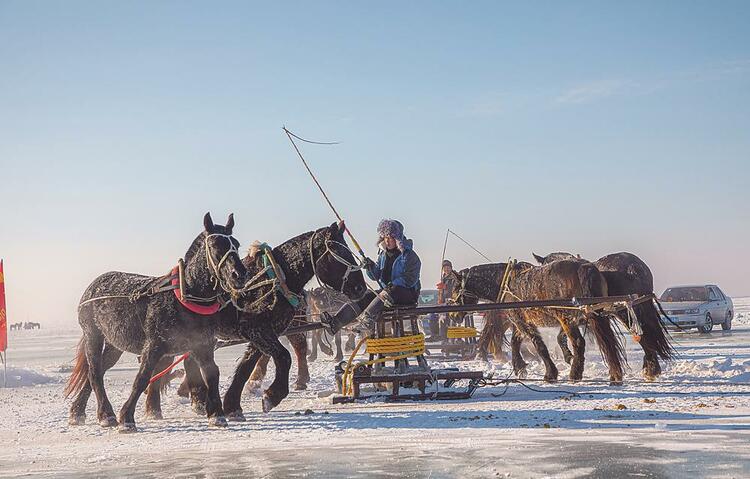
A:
(693, 422)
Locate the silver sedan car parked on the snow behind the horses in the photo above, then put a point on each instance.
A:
(699, 306)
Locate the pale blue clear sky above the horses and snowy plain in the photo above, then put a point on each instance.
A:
(589, 127)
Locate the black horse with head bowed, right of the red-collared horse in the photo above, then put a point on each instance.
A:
(321, 253)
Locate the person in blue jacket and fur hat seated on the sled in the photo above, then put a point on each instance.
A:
(397, 273)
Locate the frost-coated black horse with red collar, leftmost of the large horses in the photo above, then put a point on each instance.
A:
(124, 312)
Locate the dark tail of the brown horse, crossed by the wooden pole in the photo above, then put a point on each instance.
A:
(611, 345)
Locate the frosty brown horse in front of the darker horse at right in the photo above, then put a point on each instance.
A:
(558, 280)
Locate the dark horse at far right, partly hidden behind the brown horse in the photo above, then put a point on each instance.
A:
(626, 274)
